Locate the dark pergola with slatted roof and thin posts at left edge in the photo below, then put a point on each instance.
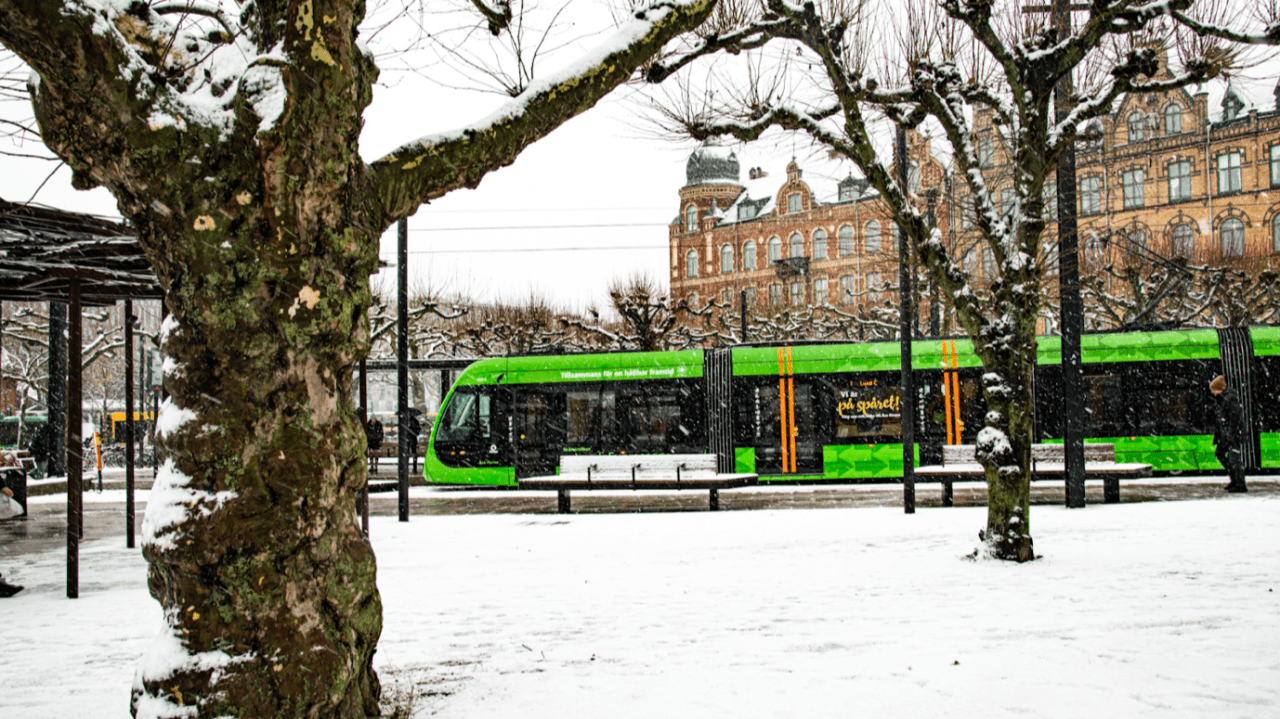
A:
(54, 257)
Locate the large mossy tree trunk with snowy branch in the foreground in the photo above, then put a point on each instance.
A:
(228, 135)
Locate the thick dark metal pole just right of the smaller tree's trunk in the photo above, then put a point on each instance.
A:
(1069, 288)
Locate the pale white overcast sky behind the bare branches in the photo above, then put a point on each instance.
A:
(586, 205)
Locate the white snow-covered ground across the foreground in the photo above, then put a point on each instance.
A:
(1155, 610)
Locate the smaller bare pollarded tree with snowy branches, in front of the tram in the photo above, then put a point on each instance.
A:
(820, 68)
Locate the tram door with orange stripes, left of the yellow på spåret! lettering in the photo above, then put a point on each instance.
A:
(787, 424)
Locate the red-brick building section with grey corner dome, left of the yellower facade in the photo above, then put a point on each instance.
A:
(771, 237)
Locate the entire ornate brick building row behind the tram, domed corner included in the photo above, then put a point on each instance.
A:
(1163, 171)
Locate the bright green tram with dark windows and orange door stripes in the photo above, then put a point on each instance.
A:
(833, 413)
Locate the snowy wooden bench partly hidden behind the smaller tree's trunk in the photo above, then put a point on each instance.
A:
(959, 465)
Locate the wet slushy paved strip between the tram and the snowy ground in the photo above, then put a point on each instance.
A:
(45, 529)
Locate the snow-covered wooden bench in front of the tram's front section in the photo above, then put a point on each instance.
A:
(637, 473)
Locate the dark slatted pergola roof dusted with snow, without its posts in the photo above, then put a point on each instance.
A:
(43, 250)
